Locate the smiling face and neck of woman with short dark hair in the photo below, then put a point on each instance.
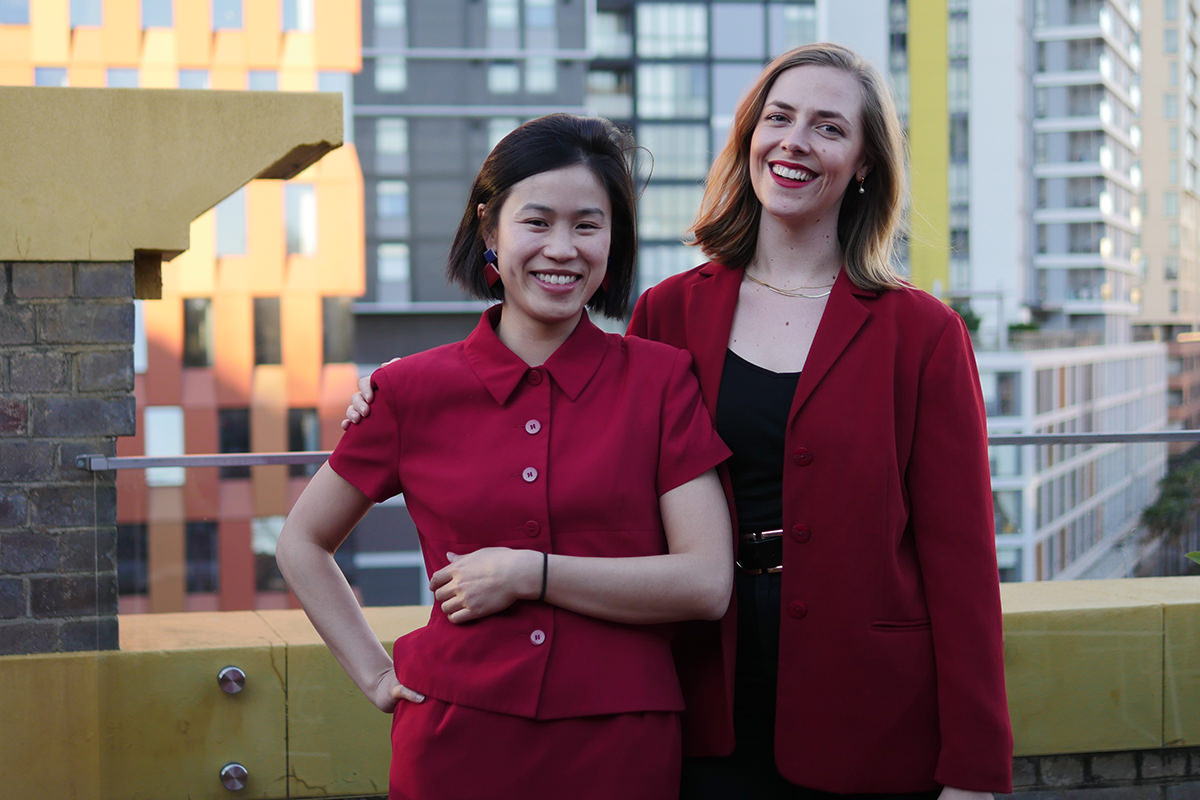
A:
(551, 238)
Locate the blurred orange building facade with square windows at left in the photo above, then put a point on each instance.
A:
(250, 348)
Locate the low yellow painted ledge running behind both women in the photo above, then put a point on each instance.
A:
(1091, 667)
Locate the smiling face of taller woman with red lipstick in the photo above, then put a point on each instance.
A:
(807, 147)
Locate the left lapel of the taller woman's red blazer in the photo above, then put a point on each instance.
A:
(710, 321)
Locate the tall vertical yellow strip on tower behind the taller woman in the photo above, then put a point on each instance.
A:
(929, 137)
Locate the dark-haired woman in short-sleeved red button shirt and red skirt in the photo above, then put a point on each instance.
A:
(563, 486)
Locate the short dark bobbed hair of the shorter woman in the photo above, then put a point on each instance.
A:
(541, 146)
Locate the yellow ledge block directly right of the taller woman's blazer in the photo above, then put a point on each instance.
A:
(1084, 670)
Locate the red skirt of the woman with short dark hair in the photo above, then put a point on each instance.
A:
(442, 750)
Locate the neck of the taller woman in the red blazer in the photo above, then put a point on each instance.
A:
(803, 256)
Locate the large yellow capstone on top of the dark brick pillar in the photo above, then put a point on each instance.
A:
(106, 175)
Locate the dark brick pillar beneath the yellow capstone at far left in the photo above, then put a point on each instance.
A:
(67, 389)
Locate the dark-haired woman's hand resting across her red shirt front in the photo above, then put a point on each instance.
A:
(487, 582)
